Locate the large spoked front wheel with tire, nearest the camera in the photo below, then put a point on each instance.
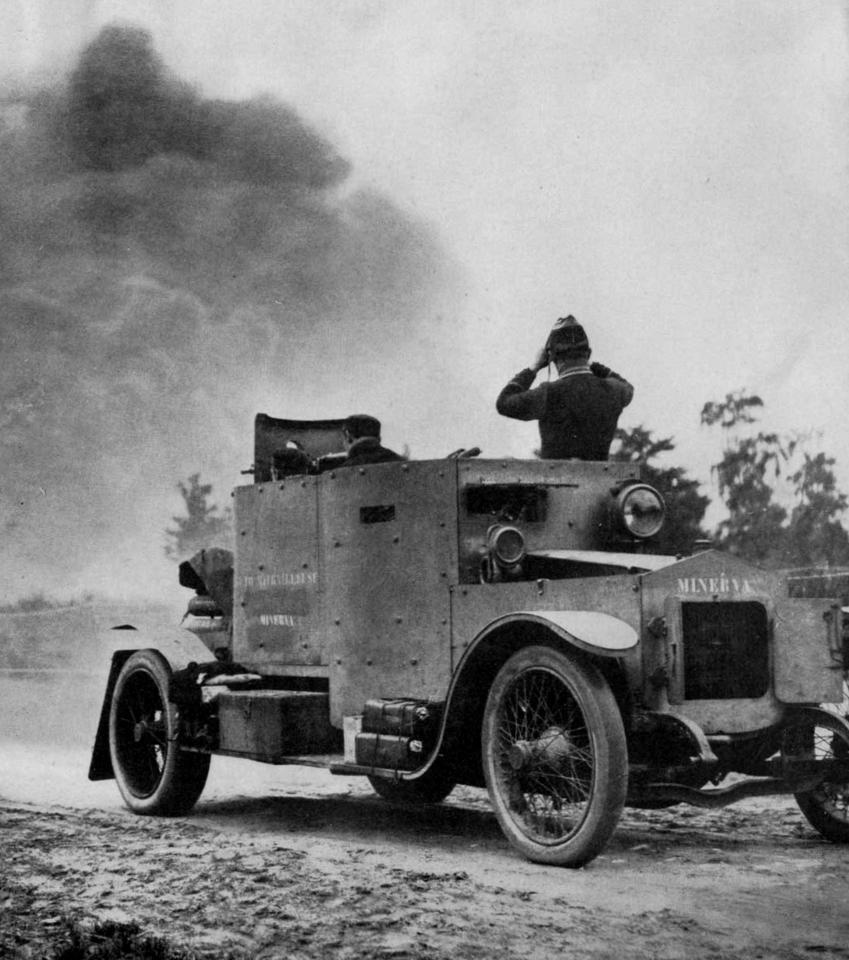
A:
(555, 757)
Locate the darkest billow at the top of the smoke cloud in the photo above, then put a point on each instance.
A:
(122, 109)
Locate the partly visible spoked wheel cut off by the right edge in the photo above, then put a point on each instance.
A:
(817, 743)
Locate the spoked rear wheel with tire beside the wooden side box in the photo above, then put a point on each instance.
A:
(154, 775)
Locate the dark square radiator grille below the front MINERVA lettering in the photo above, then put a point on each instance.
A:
(726, 650)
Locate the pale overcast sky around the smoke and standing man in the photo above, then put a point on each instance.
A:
(674, 174)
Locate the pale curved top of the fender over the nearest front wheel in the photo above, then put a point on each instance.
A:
(588, 630)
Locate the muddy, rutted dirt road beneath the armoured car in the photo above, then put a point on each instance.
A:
(292, 862)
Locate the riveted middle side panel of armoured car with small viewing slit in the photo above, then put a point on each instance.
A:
(389, 533)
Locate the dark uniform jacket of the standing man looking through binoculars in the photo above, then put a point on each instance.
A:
(577, 413)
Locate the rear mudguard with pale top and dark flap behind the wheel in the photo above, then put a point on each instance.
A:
(178, 647)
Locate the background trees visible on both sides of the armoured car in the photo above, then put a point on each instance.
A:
(783, 506)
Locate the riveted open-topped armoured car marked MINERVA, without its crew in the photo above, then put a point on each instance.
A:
(490, 622)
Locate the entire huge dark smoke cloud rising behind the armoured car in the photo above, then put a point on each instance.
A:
(164, 256)
